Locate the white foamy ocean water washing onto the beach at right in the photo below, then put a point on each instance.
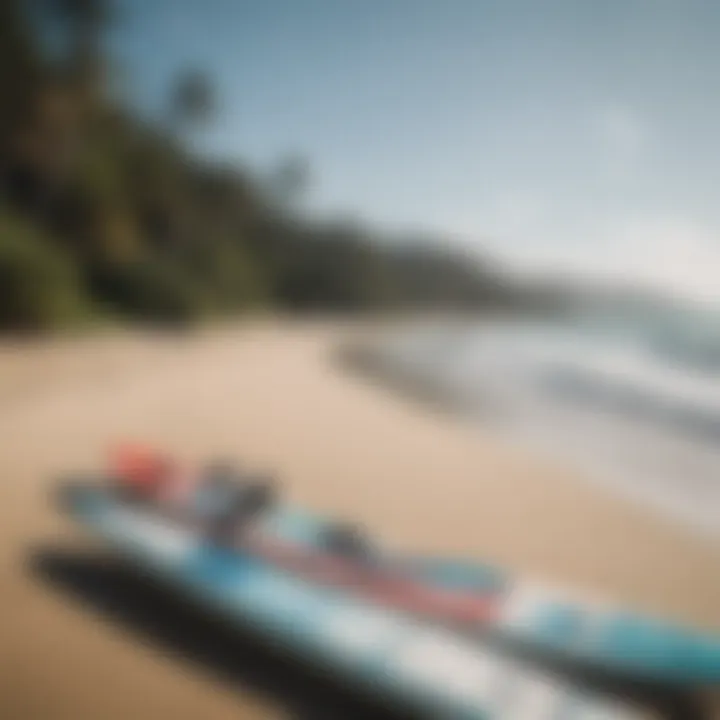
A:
(630, 403)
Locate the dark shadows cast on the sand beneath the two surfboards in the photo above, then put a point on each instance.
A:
(157, 615)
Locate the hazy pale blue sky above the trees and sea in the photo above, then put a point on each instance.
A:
(558, 134)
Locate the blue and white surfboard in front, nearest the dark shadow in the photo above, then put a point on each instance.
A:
(424, 667)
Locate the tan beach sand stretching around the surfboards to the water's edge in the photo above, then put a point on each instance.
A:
(270, 395)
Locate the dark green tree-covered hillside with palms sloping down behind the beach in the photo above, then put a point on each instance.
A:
(105, 215)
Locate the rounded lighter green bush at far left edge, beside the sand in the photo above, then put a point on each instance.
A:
(39, 288)
